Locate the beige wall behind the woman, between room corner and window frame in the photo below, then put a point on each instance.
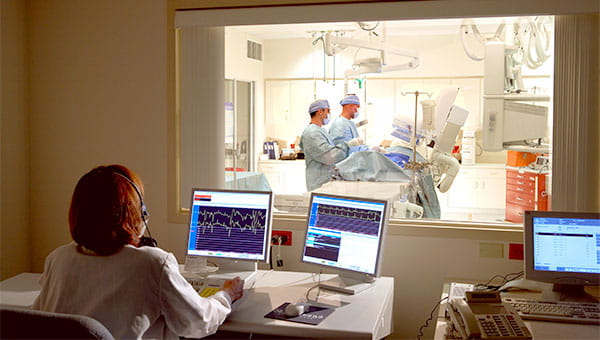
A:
(97, 96)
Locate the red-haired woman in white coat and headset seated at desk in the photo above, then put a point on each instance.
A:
(135, 291)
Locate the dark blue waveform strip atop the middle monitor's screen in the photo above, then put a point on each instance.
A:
(354, 220)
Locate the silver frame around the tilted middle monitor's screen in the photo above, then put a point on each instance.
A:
(384, 227)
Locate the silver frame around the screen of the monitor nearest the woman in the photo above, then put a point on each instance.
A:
(265, 258)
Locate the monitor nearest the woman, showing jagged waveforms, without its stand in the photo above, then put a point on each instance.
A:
(230, 224)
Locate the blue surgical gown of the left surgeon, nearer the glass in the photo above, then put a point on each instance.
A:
(320, 154)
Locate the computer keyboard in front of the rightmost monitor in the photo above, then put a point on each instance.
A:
(559, 311)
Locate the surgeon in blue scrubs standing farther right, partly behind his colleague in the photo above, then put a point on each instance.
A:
(342, 128)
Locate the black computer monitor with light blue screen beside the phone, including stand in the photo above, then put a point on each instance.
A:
(563, 248)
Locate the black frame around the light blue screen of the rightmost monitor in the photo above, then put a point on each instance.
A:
(555, 277)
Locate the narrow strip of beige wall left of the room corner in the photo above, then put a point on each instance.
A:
(14, 224)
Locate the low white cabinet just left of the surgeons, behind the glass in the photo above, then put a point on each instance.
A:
(285, 177)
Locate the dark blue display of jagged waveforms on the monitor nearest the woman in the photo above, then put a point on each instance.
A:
(228, 229)
